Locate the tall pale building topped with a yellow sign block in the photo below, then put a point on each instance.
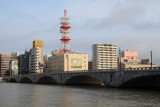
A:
(36, 57)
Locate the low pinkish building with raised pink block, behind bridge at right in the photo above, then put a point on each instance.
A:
(129, 59)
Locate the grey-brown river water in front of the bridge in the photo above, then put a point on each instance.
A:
(37, 95)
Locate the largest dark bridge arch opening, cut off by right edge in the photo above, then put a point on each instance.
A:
(142, 81)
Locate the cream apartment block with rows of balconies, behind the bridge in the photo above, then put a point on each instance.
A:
(104, 56)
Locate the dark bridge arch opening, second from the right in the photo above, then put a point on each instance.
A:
(83, 80)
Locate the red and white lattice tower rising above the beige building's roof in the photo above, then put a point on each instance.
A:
(65, 46)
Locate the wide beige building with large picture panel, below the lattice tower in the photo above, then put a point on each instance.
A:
(67, 62)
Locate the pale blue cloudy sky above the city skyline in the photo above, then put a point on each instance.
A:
(131, 24)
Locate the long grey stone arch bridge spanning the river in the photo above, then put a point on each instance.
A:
(142, 77)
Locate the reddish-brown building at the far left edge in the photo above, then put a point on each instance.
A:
(4, 62)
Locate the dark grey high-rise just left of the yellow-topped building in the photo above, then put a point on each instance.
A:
(23, 63)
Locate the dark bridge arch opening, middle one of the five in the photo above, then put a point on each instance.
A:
(46, 80)
